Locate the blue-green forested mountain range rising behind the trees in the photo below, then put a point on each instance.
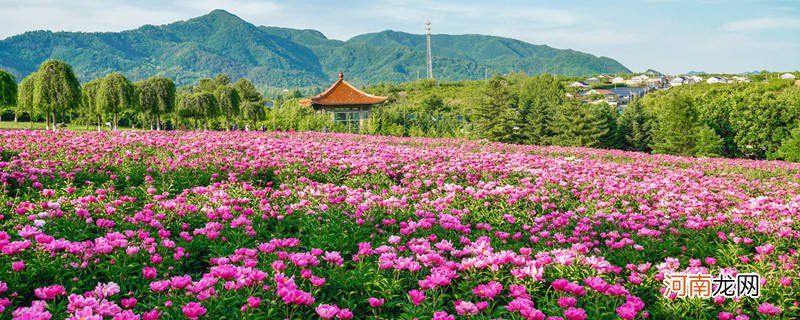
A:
(220, 42)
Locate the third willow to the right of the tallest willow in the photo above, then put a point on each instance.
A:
(156, 97)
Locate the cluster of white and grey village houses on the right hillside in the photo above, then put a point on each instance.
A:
(619, 91)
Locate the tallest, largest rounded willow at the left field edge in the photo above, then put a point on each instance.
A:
(56, 90)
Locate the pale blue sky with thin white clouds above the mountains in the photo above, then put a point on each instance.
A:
(672, 36)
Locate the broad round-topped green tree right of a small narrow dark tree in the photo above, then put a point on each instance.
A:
(674, 123)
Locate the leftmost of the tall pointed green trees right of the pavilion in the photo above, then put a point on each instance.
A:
(497, 117)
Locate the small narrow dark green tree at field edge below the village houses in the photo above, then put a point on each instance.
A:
(634, 127)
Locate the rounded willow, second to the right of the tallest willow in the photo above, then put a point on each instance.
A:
(115, 95)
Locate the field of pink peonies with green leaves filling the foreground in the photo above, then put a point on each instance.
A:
(249, 225)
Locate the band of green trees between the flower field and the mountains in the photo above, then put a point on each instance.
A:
(750, 120)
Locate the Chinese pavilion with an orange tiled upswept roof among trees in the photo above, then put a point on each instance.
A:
(346, 104)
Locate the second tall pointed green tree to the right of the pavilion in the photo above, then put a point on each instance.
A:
(539, 97)
